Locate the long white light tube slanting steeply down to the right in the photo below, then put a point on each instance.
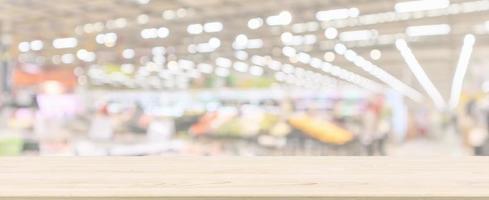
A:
(420, 74)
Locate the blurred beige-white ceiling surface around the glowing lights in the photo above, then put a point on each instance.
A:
(26, 20)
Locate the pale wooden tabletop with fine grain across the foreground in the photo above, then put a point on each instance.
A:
(243, 178)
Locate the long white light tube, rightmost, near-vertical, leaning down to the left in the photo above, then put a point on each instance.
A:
(462, 65)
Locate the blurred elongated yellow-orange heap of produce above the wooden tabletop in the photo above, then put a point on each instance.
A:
(321, 130)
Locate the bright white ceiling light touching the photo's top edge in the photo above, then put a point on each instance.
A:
(421, 5)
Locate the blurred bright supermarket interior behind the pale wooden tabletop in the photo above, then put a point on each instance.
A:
(244, 77)
